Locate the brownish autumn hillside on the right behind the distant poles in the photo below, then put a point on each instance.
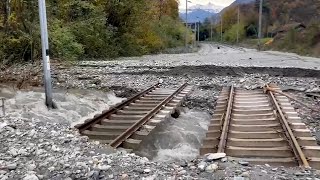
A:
(294, 25)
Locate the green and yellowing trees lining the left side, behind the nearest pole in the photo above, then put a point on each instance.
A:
(89, 28)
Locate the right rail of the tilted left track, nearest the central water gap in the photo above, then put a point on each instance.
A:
(125, 135)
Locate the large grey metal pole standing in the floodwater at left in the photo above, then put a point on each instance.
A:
(45, 53)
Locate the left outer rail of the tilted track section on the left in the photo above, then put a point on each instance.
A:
(104, 115)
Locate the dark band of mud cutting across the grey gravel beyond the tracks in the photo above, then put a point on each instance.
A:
(212, 70)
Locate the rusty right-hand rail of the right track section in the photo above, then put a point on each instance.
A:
(300, 156)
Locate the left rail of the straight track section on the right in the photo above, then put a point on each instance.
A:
(226, 123)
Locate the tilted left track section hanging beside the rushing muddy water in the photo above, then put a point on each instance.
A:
(129, 122)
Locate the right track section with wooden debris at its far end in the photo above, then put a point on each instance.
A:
(260, 127)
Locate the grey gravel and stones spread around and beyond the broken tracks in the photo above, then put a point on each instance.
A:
(32, 149)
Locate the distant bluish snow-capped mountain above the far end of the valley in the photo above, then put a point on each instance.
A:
(199, 12)
